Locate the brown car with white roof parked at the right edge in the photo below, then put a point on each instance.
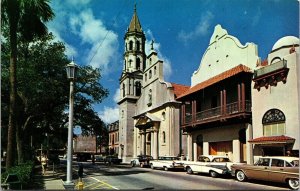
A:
(276, 169)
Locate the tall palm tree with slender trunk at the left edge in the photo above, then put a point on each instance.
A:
(25, 19)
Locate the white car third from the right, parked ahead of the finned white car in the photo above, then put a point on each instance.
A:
(167, 162)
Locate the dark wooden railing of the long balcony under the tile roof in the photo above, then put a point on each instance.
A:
(216, 113)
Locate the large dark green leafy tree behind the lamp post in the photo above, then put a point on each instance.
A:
(43, 94)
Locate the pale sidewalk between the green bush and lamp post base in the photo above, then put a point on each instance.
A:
(51, 180)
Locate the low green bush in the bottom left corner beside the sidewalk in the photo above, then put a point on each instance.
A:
(23, 171)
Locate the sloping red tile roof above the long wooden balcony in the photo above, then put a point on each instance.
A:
(231, 72)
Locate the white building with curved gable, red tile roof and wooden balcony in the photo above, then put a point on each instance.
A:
(216, 110)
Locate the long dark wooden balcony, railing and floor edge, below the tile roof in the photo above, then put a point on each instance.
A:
(218, 114)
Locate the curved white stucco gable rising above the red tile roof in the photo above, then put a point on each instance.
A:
(223, 53)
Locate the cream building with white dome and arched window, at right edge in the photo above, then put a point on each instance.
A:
(275, 100)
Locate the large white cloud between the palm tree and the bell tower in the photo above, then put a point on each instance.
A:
(82, 28)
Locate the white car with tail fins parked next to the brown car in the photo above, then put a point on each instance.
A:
(213, 165)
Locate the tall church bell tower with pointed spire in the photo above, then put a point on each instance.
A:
(130, 84)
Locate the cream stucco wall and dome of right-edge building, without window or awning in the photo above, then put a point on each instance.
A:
(282, 95)
